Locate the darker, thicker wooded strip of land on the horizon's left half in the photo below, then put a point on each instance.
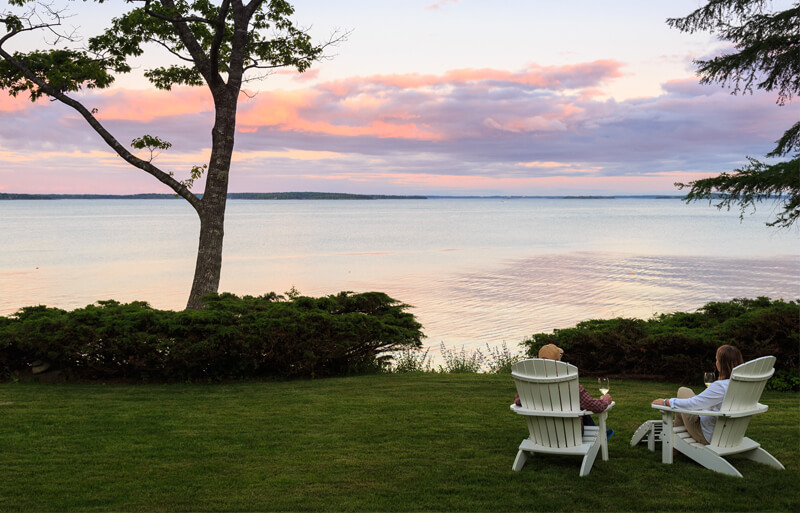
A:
(233, 195)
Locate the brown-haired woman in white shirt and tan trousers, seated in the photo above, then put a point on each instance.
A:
(701, 427)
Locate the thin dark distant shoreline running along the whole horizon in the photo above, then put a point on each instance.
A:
(305, 196)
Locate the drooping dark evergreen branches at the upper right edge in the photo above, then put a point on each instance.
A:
(765, 55)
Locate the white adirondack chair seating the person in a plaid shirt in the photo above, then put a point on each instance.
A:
(548, 391)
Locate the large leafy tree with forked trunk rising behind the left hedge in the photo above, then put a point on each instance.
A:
(217, 44)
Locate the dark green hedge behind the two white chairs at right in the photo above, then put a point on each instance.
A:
(679, 347)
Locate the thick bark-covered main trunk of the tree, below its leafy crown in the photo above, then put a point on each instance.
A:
(212, 210)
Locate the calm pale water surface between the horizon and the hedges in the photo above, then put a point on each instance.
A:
(477, 271)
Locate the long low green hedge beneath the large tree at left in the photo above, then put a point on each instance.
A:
(232, 338)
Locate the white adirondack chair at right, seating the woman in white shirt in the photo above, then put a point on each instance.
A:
(738, 407)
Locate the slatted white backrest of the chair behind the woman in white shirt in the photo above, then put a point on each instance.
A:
(744, 391)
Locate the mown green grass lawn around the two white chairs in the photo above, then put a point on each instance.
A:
(424, 442)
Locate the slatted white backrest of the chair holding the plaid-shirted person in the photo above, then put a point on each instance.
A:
(549, 386)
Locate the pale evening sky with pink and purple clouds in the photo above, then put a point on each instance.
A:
(448, 97)
